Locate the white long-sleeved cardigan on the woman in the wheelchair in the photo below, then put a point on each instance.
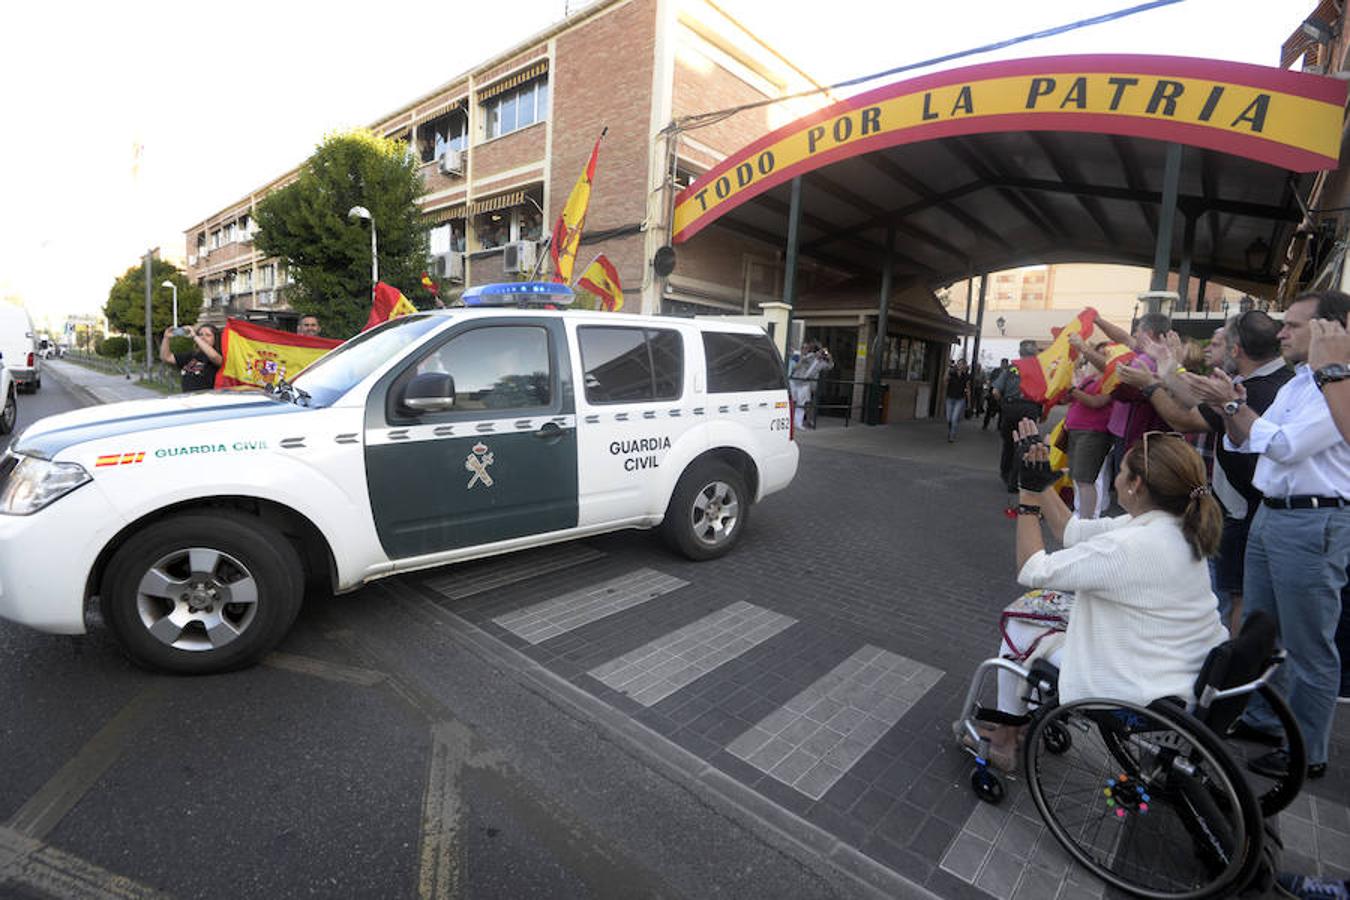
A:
(1144, 617)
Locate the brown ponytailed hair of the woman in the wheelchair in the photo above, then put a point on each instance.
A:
(1177, 480)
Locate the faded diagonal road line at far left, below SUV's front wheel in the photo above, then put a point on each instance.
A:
(67, 787)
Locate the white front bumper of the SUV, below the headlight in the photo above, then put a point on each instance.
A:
(47, 559)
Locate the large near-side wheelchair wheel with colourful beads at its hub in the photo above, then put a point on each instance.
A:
(1145, 798)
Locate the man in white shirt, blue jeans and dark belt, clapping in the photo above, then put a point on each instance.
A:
(1299, 547)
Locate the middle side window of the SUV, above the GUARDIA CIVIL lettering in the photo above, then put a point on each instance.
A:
(627, 365)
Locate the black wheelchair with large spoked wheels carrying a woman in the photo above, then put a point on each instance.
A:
(1150, 798)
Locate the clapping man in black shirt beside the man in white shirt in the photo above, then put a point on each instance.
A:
(1249, 350)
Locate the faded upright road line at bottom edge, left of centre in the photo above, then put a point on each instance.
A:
(442, 847)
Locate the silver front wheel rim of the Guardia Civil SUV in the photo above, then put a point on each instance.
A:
(198, 600)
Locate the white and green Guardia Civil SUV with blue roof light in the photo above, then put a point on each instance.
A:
(194, 526)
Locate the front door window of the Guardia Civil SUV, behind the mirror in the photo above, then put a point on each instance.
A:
(496, 368)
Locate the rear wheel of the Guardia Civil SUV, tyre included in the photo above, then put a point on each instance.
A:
(708, 511)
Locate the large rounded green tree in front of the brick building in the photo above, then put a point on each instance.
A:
(327, 253)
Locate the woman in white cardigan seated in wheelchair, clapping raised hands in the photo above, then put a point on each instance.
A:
(1144, 617)
